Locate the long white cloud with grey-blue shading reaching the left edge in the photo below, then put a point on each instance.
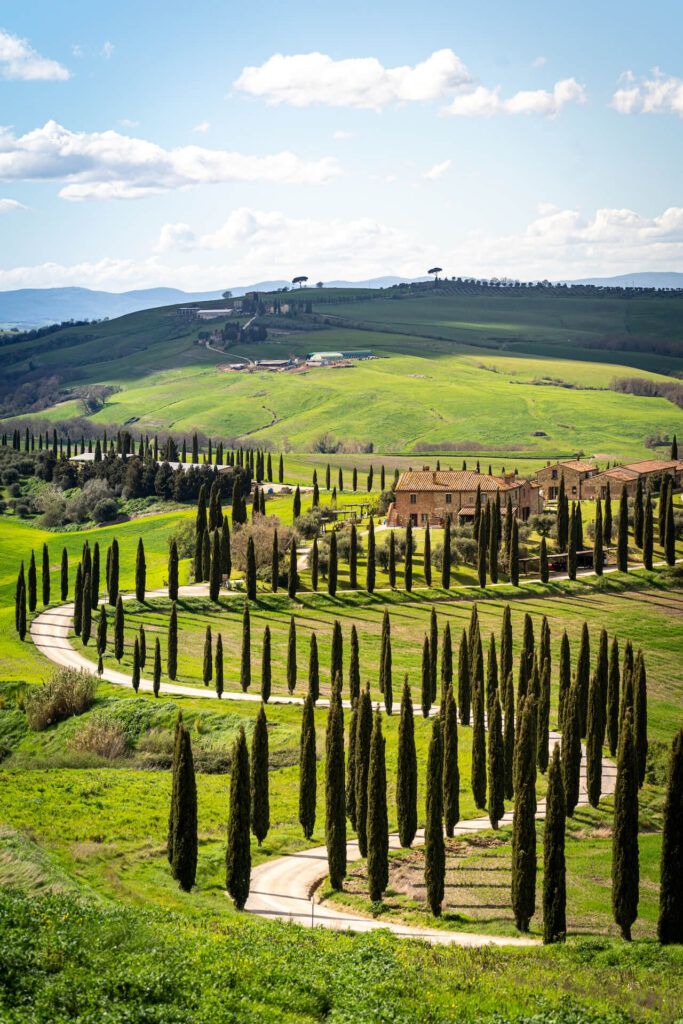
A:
(108, 165)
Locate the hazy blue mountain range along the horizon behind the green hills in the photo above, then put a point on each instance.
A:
(28, 308)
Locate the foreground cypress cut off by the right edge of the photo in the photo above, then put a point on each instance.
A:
(670, 924)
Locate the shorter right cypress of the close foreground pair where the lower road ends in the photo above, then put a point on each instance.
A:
(554, 875)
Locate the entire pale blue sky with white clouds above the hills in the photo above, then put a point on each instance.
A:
(147, 146)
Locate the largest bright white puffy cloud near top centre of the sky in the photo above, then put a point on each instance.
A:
(364, 83)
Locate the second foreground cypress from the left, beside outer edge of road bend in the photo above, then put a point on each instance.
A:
(238, 857)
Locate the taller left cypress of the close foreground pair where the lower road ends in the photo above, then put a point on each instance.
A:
(524, 826)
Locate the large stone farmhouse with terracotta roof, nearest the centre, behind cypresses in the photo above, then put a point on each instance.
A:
(431, 496)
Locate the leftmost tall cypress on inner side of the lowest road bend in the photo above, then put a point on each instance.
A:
(335, 795)
